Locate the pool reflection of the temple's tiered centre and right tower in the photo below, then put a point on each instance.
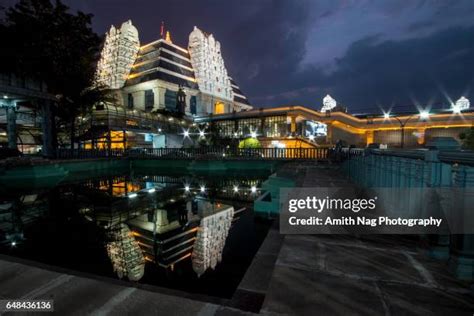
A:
(197, 229)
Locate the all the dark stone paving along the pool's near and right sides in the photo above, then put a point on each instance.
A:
(290, 275)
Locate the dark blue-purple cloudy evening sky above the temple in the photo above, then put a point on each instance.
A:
(366, 54)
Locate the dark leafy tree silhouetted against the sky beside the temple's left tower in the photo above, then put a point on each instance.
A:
(45, 42)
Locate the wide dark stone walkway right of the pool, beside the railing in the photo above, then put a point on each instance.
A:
(345, 275)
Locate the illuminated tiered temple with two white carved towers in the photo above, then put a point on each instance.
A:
(150, 77)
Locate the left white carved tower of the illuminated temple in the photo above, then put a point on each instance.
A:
(118, 55)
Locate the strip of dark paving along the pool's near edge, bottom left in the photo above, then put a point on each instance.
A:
(76, 295)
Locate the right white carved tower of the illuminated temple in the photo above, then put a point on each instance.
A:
(206, 58)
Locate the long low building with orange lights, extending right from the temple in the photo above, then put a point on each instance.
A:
(303, 127)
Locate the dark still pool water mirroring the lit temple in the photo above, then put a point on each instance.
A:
(192, 233)
